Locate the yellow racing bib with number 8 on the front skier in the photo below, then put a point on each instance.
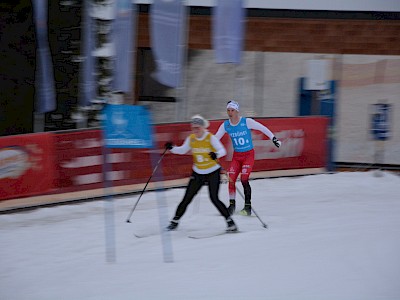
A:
(200, 150)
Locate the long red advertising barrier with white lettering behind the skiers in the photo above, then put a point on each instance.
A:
(61, 162)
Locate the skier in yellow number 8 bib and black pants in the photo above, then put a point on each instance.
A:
(206, 149)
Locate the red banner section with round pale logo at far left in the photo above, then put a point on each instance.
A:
(26, 165)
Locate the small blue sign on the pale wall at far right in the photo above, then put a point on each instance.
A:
(380, 121)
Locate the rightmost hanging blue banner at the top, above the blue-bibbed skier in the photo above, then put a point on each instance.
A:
(228, 30)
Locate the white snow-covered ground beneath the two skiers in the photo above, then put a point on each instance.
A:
(330, 236)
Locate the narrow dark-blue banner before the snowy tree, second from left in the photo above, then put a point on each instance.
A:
(87, 81)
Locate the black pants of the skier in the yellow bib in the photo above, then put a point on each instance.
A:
(195, 183)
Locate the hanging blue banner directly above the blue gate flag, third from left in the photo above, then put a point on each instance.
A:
(124, 32)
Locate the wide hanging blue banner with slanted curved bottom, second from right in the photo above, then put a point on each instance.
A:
(167, 37)
